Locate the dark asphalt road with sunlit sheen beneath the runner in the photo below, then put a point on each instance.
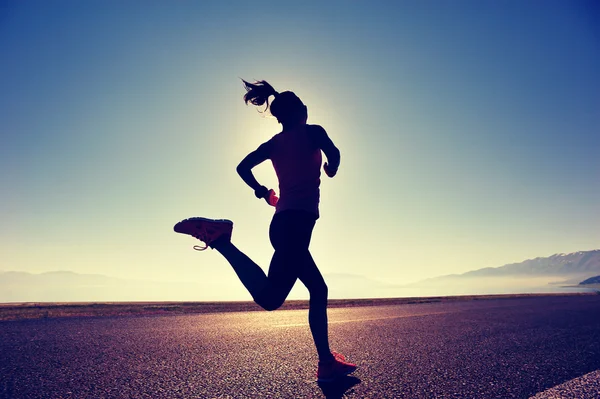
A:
(500, 348)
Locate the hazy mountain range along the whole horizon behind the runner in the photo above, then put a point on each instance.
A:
(547, 274)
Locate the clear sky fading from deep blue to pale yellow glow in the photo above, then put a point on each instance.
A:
(469, 133)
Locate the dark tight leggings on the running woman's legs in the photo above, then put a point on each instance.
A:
(290, 234)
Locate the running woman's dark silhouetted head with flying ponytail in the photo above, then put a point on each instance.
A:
(286, 106)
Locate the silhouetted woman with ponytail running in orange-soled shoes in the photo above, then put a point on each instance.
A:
(296, 156)
